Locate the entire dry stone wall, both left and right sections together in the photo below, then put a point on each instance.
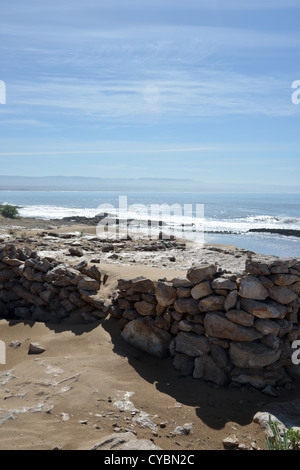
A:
(218, 326)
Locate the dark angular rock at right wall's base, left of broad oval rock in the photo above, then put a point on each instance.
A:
(207, 369)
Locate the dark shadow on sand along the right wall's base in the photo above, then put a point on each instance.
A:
(213, 405)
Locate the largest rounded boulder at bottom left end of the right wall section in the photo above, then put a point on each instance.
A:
(144, 335)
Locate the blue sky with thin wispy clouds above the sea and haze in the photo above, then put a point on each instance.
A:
(194, 89)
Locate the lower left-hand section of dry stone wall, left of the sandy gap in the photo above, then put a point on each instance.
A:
(44, 290)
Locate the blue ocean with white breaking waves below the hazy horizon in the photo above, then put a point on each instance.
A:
(224, 218)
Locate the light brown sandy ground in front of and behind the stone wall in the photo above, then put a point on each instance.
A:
(89, 383)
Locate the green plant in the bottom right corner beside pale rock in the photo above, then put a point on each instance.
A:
(288, 439)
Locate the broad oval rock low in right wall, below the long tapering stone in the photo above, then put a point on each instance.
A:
(250, 355)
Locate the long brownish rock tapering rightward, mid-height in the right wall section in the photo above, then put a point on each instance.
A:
(217, 325)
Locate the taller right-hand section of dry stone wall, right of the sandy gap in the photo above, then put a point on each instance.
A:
(218, 326)
